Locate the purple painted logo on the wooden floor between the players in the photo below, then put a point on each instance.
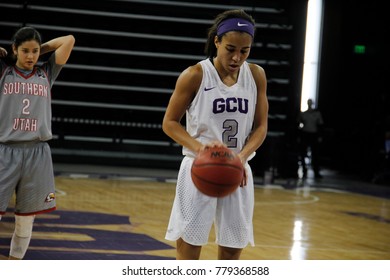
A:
(87, 235)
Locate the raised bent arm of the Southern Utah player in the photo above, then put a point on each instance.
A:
(62, 46)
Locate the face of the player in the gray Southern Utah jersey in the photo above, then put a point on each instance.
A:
(27, 54)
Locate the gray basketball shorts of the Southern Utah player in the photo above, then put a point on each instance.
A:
(26, 170)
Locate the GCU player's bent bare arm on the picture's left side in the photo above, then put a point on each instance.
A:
(186, 87)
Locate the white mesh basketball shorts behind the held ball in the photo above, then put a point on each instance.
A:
(193, 213)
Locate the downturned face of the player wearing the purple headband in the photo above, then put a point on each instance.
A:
(233, 50)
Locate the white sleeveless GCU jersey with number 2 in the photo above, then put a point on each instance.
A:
(220, 112)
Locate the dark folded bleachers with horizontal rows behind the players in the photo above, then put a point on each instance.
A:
(109, 100)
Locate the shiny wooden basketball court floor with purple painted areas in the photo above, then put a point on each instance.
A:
(125, 217)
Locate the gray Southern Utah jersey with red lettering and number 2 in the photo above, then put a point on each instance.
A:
(25, 102)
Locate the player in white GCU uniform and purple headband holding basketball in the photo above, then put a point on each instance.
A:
(224, 99)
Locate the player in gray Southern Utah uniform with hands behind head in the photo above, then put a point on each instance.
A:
(25, 113)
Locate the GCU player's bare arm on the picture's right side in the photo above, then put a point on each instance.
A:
(260, 125)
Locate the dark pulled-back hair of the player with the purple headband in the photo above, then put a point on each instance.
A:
(210, 49)
